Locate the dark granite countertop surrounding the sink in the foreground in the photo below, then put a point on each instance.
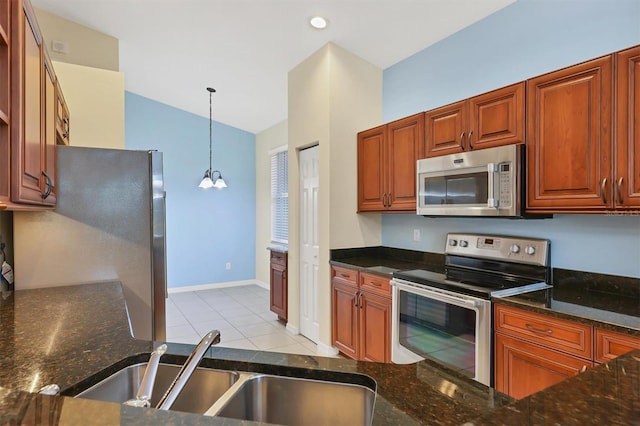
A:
(80, 334)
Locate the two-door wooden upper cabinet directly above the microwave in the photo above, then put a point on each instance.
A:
(492, 119)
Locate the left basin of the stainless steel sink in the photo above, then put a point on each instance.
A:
(203, 388)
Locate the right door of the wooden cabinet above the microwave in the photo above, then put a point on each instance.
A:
(497, 118)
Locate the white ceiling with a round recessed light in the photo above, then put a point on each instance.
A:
(171, 50)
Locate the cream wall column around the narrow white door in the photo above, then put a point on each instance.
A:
(332, 95)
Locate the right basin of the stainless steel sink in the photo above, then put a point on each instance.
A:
(296, 401)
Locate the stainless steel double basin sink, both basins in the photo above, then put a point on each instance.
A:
(250, 396)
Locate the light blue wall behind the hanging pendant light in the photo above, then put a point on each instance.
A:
(205, 228)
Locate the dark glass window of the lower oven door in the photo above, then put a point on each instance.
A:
(438, 330)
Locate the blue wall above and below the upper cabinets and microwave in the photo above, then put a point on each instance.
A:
(525, 39)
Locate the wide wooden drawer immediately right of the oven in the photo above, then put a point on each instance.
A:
(563, 335)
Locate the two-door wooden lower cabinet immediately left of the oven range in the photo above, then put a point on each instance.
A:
(361, 318)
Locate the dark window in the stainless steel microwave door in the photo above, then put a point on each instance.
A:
(468, 189)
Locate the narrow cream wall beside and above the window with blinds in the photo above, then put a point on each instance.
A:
(273, 137)
